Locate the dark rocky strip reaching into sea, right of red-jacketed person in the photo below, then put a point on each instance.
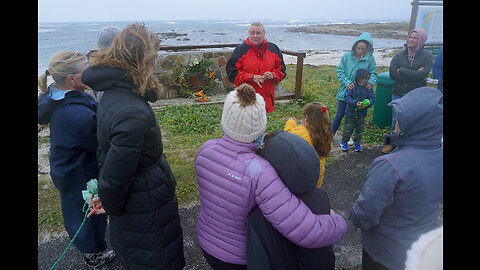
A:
(378, 30)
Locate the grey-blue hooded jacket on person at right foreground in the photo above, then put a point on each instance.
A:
(402, 190)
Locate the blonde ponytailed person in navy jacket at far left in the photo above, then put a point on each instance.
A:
(71, 114)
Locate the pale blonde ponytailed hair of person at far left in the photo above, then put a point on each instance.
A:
(61, 64)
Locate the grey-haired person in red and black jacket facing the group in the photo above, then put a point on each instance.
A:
(258, 63)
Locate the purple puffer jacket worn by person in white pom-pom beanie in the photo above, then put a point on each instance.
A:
(232, 179)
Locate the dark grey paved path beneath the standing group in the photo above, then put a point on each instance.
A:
(343, 180)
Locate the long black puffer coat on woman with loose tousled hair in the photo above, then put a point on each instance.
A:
(136, 185)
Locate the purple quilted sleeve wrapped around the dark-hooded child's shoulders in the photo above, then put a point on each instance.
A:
(292, 218)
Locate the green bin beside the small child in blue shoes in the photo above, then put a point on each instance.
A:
(382, 113)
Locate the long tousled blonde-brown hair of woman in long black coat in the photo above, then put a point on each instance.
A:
(133, 50)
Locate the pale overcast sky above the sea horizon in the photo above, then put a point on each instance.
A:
(154, 10)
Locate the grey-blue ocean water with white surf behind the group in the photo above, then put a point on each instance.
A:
(81, 36)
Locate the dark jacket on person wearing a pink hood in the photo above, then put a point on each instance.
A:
(408, 77)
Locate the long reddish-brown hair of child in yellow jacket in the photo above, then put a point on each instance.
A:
(319, 127)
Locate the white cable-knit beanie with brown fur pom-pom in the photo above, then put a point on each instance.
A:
(244, 117)
